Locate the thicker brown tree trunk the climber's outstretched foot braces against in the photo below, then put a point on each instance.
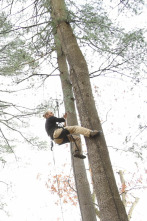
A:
(111, 206)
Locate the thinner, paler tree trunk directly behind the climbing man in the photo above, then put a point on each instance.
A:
(81, 181)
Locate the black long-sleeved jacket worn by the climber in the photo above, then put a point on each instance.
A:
(51, 125)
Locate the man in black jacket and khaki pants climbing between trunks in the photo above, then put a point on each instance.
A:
(64, 134)
